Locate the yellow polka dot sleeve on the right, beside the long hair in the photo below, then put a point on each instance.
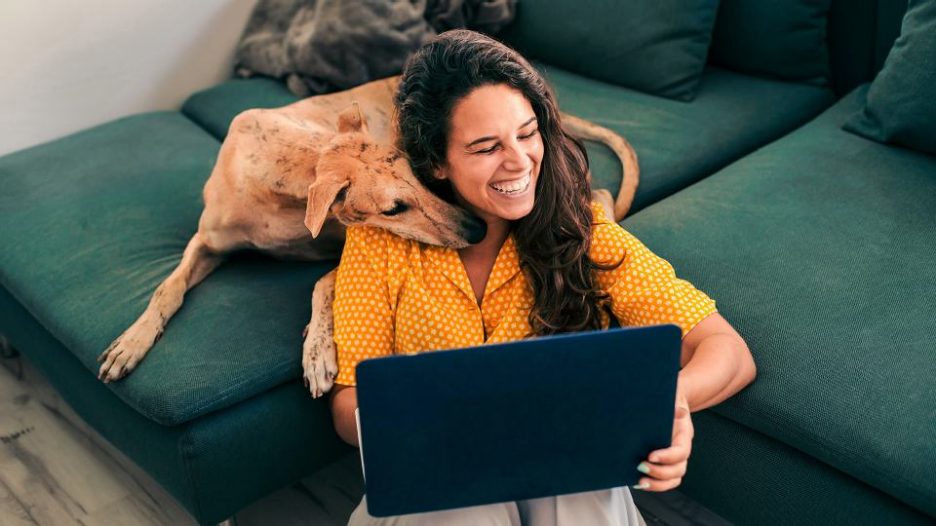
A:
(644, 289)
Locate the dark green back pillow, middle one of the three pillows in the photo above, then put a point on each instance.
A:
(783, 39)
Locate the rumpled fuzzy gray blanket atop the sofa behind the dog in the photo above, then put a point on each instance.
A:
(320, 46)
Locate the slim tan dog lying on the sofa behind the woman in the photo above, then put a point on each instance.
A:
(282, 173)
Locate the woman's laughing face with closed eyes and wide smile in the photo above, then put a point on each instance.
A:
(494, 153)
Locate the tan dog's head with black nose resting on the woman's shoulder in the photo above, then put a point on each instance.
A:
(363, 182)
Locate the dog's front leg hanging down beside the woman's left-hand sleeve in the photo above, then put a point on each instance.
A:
(319, 360)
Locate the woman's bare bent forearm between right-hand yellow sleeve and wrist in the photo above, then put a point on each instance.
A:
(716, 363)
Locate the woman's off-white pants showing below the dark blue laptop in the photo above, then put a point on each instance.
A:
(609, 507)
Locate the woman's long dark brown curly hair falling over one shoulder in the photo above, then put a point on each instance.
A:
(553, 239)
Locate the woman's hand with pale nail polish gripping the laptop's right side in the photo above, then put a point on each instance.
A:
(665, 468)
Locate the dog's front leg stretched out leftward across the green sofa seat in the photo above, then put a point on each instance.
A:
(129, 348)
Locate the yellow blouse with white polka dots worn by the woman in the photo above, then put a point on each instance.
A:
(397, 296)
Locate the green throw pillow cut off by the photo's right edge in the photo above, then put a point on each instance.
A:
(900, 107)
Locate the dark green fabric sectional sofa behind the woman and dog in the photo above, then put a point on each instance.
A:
(817, 245)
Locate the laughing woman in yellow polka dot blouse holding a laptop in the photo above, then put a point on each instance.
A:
(481, 129)
